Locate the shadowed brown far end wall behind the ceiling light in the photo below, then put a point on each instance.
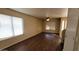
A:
(54, 25)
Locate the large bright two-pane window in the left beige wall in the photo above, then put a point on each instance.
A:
(10, 26)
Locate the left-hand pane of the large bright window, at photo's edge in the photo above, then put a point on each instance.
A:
(5, 26)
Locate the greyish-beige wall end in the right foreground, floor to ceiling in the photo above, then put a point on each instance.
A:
(72, 23)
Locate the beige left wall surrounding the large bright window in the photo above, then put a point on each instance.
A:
(32, 26)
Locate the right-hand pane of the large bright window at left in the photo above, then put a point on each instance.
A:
(18, 25)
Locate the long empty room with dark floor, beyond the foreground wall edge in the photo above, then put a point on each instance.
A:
(23, 25)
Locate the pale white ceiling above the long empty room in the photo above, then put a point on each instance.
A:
(44, 12)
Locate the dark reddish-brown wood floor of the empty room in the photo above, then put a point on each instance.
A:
(40, 42)
